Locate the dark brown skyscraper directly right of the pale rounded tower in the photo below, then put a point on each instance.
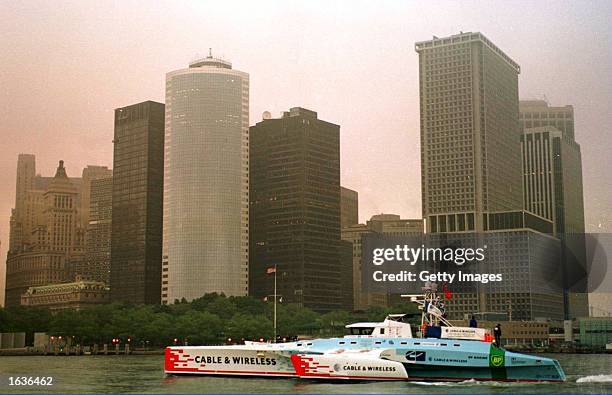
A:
(295, 209)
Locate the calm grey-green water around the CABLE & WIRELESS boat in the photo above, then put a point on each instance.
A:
(143, 374)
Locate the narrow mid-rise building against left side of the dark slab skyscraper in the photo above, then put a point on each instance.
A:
(96, 265)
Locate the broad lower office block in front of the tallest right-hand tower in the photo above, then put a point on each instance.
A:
(526, 259)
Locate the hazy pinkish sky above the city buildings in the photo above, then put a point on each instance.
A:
(65, 66)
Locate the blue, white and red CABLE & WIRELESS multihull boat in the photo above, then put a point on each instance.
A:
(384, 350)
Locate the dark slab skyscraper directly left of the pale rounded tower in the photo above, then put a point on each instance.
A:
(136, 233)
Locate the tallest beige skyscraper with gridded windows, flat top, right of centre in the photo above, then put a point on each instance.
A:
(470, 155)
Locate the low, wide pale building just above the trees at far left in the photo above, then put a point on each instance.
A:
(75, 295)
